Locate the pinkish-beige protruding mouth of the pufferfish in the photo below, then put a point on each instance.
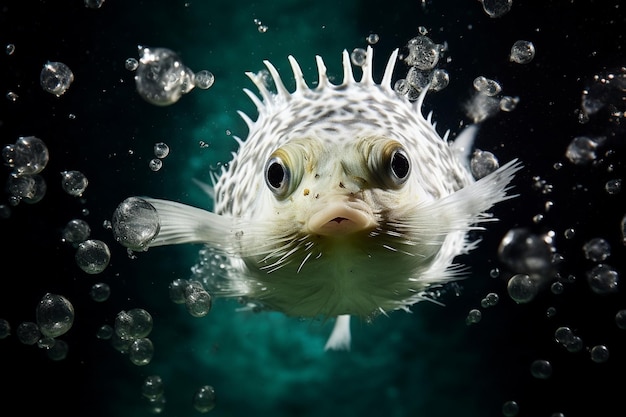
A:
(342, 218)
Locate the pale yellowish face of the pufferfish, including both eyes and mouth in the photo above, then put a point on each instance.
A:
(336, 188)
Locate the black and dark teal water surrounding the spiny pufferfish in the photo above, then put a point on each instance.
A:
(560, 354)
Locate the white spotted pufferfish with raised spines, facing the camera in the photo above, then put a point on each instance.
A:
(342, 201)
